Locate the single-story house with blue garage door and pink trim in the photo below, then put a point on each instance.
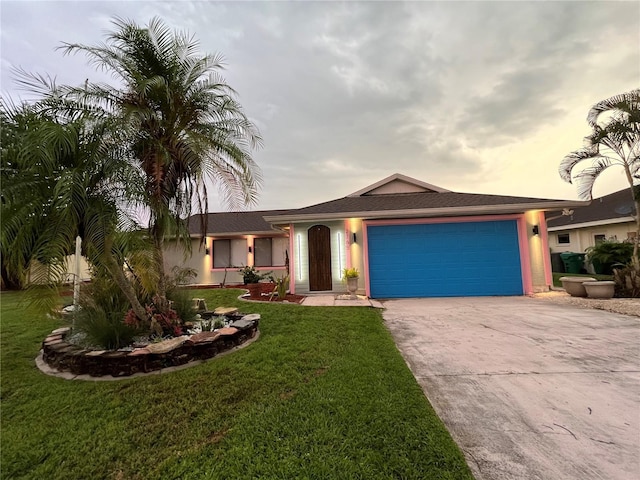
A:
(406, 237)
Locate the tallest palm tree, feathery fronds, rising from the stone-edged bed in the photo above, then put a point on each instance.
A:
(183, 125)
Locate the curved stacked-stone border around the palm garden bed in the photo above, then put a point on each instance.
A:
(62, 356)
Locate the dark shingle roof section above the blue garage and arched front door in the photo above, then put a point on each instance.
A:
(410, 204)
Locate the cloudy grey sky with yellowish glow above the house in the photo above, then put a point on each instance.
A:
(478, 97)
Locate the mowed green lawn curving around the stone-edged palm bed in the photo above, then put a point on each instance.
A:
(322, 394)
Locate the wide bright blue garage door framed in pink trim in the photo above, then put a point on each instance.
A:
(444, 260)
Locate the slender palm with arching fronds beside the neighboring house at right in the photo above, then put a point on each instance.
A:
(614, 141)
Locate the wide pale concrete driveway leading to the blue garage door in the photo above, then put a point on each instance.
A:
(528, 389)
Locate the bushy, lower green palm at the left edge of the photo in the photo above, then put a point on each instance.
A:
(61, 178)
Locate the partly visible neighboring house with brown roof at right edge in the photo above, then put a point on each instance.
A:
(606, 218)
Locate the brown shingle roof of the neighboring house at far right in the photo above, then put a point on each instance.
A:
(614, 206)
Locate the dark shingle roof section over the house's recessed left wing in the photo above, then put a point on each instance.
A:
(234, 223)
